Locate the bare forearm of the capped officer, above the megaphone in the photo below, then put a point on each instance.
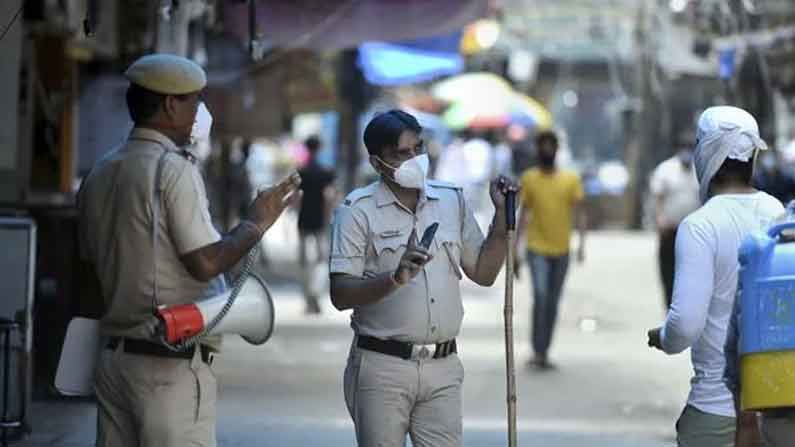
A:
(210, 261)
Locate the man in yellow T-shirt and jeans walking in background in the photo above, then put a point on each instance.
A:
(550, 201)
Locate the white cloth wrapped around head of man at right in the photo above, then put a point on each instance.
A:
(723, 132)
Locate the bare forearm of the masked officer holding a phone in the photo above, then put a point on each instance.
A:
(349, 291)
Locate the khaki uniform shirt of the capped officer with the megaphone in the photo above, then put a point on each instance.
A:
(115, 206)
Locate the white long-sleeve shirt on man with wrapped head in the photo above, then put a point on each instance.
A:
(705, 283)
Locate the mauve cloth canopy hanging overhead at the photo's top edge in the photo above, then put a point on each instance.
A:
(333, 25)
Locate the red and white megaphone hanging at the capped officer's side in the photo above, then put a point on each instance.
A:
(251, 316)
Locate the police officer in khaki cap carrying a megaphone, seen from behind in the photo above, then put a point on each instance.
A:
(147, 394)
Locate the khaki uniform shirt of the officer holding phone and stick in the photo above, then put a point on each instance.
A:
(369, 235)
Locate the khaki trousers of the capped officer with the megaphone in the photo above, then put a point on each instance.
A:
(148, 401)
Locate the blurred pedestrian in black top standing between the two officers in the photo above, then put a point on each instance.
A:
(313, 217)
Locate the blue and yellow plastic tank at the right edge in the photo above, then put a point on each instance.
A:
(767, 319)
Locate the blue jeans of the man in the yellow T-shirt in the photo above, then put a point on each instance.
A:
(547, 274)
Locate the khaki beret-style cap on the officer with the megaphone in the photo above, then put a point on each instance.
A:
(167, 74)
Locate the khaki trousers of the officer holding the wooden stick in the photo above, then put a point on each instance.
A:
(389, 397)
